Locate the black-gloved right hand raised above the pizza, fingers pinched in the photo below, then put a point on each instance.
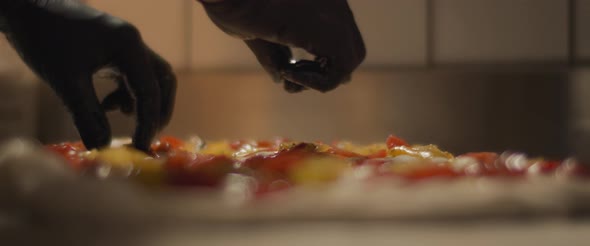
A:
(324, 28)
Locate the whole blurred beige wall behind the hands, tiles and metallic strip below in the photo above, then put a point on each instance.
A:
(222, 92)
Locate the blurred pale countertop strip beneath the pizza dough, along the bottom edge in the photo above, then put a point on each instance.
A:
(523, 233)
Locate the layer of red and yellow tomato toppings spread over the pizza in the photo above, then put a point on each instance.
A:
(279, 164)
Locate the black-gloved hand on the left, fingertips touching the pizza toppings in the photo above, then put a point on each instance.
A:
(66, 42)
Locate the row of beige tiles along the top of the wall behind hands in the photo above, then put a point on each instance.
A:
(396, 32)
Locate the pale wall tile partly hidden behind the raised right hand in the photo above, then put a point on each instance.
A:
(393, 30)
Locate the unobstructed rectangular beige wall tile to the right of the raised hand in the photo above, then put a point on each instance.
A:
(487, 31)
